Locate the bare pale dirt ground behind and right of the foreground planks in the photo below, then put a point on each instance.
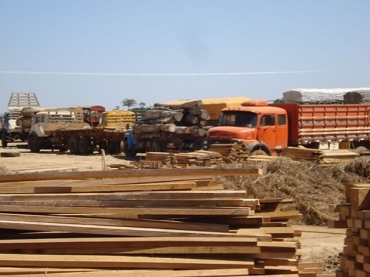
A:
(318, 244)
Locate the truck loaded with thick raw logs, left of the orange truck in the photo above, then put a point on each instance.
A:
(168, 127)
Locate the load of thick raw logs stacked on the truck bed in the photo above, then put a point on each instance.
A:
(185, 118)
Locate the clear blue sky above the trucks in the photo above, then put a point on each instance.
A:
(63, 43)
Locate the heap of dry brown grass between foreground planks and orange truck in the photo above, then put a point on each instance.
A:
(311, 187)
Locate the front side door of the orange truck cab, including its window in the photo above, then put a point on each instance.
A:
(266, 131)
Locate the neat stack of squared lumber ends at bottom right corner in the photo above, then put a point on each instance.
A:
(355, 261)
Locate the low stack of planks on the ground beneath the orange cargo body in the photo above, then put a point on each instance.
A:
(323, 157)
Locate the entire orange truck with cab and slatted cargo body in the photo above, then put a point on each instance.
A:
(267, 129)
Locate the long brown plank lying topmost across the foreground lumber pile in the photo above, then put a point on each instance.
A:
(184, 172)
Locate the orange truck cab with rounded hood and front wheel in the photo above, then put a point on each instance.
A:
(263, 128)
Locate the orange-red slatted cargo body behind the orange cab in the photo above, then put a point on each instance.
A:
(327, 122)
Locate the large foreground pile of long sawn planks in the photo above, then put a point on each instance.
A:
(175, 222)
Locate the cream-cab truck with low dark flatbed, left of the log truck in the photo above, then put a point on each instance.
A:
(65, 129)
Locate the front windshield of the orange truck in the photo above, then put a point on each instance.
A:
(238, 118)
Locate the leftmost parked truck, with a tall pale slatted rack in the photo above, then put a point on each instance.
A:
(15, 125)
